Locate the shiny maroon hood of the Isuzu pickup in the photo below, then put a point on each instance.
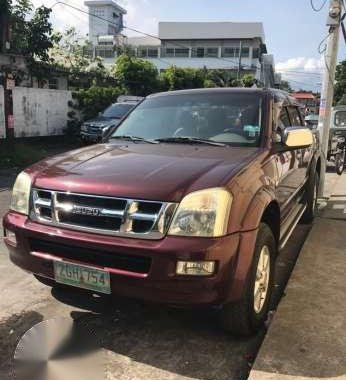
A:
(164, 172)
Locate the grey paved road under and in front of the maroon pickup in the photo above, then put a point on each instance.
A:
(142, 341)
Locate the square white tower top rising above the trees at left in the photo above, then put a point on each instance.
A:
(105, 19)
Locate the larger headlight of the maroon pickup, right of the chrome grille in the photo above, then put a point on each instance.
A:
(203, 213)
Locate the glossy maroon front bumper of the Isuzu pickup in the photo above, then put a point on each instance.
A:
(161, 284)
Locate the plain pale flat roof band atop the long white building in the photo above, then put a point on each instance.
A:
(210, 30)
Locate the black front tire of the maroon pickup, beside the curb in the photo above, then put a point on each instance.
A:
(245, 318)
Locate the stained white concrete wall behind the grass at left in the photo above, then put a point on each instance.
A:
(39, 112)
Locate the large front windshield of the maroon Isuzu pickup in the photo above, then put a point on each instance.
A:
(228, 118)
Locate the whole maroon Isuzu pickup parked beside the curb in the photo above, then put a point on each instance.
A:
(187, 203)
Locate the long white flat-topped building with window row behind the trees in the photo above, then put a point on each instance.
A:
(235, 46)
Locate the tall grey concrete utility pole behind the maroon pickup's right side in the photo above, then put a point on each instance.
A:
(327, 93)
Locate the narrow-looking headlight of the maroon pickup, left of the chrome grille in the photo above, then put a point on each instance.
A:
(21, 194)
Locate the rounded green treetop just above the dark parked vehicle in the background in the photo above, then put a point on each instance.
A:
(137, 76)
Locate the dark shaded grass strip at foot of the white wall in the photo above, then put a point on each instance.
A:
(24, 152)
